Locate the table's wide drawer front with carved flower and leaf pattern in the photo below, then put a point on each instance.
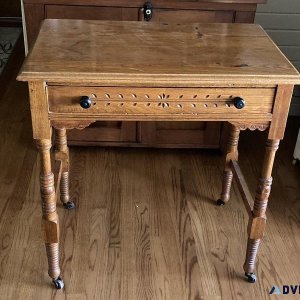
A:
(119, 101)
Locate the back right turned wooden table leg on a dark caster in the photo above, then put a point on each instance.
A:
(231, 154)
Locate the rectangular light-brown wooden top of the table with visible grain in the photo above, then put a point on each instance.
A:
(117, 53)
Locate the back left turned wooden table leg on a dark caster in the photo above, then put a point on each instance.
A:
(62, 153)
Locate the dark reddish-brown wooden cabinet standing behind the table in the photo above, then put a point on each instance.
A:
(152, 134)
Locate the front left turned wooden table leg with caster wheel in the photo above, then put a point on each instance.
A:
(50, 218)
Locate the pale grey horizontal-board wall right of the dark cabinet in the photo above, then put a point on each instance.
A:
(281, 19)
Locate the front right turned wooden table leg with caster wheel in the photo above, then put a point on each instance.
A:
(257, 221)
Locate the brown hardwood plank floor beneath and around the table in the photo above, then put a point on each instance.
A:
(146, 225)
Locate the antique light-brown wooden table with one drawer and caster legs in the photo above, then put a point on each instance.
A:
(83, 71)
